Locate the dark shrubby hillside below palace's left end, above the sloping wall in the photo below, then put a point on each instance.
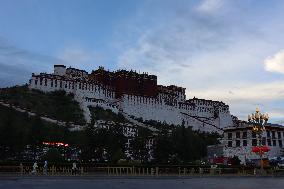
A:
(57, 105)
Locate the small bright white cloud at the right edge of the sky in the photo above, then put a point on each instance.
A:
(275, 63)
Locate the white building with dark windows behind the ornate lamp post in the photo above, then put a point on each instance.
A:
(240, 139)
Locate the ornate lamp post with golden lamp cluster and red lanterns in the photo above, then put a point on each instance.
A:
(258, 121)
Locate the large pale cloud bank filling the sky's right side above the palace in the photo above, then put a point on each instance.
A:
(214, 57)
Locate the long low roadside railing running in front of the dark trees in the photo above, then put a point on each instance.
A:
(66, 170)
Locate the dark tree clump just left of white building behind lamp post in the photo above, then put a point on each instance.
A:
(182, 145)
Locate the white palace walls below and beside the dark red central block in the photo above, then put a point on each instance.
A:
(196, 113)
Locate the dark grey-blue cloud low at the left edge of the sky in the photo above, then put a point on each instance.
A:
(17, 65)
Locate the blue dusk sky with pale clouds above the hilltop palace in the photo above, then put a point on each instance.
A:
(227, 50)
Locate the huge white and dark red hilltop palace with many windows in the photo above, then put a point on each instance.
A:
(134, 95)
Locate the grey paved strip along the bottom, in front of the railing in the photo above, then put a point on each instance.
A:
(141, 183)
